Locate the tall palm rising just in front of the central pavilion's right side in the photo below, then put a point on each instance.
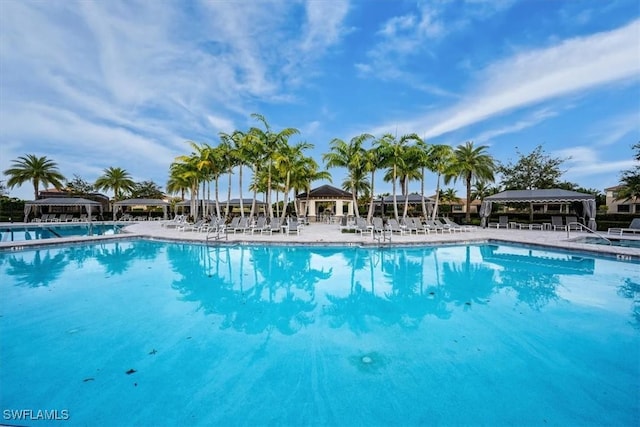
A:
(352, 157)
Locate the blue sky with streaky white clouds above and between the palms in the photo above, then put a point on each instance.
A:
(97, 84)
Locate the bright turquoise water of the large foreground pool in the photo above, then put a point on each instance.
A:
(153, 333)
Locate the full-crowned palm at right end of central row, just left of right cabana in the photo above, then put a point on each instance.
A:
(471, 164)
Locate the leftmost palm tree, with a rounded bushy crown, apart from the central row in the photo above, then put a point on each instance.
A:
(35, 169)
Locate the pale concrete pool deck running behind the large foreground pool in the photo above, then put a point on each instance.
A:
(331, 235)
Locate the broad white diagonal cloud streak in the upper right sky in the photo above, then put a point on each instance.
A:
(578, 64)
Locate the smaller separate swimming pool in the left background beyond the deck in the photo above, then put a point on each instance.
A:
(14, 233)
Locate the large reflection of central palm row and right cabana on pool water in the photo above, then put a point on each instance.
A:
(286, 288)
